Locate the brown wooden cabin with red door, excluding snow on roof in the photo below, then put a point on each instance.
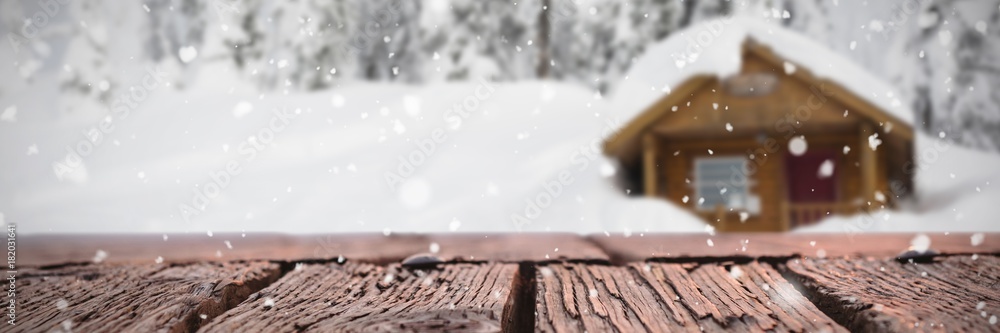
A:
(767, 149)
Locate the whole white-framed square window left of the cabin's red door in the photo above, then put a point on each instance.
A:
(721, 181)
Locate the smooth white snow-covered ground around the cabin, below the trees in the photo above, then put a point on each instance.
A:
(335, 166)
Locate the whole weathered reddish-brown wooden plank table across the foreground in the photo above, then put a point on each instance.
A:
(506, 282)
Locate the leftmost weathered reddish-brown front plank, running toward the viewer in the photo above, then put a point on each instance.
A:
(138, 298)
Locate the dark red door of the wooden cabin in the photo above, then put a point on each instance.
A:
(811, 182)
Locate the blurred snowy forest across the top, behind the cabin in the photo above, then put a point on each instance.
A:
(943, 55)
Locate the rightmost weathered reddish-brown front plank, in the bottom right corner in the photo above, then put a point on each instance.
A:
(958, 293)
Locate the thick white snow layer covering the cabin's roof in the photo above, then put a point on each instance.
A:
(714, 48)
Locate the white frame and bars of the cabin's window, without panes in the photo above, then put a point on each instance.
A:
(746, 200)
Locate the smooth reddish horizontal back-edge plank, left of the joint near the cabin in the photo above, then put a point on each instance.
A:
(42, 250)
